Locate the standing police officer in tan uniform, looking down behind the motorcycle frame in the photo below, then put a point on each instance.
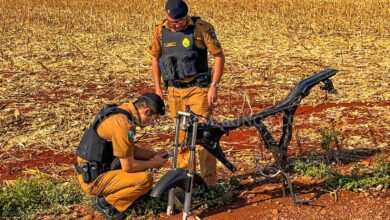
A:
(179, 52)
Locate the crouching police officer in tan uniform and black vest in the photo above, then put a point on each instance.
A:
(109, 164)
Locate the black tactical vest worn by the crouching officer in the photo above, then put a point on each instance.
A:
(94, 148)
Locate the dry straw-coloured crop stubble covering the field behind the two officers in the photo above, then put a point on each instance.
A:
(61, 60)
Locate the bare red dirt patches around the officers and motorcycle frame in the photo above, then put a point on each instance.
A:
(264, 200)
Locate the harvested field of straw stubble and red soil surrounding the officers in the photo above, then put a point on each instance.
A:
(62, 60)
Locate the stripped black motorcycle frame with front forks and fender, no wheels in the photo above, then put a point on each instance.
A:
(208, 135)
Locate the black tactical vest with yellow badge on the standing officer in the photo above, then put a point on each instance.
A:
(180, 57)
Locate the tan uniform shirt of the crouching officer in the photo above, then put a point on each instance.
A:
(120, 131)
